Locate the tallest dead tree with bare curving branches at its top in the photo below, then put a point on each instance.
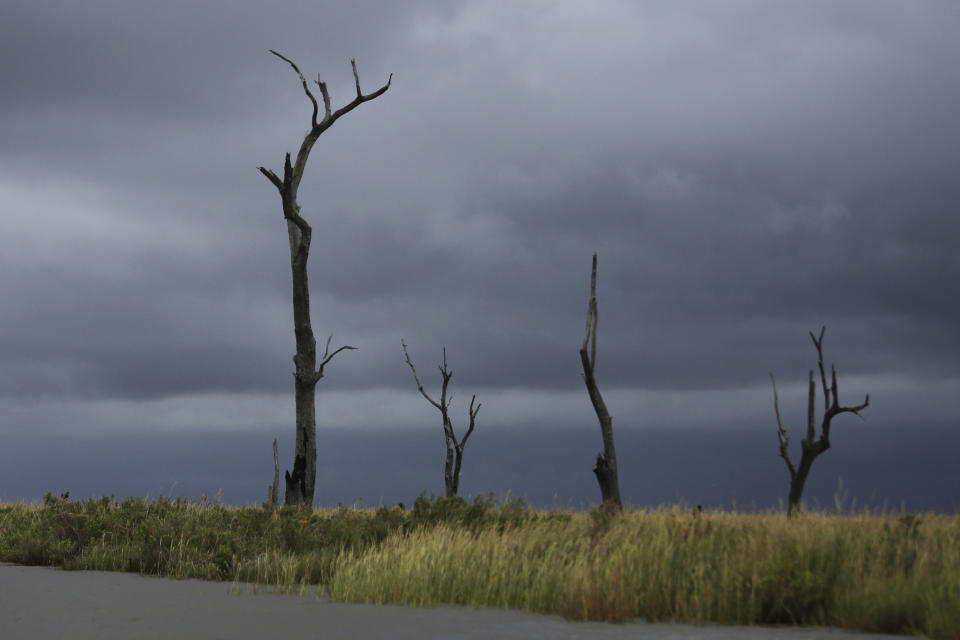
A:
(300, 484)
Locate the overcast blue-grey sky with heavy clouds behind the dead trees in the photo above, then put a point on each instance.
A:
(747, 172)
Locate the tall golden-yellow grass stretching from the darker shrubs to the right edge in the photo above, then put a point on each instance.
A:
(877, 573)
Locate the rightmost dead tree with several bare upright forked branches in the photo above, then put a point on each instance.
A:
(812, 446)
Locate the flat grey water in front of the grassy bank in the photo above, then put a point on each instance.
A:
(42, 603)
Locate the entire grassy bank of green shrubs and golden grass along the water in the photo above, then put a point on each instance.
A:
(884, 573)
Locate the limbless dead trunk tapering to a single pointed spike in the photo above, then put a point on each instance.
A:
(606, 466)
